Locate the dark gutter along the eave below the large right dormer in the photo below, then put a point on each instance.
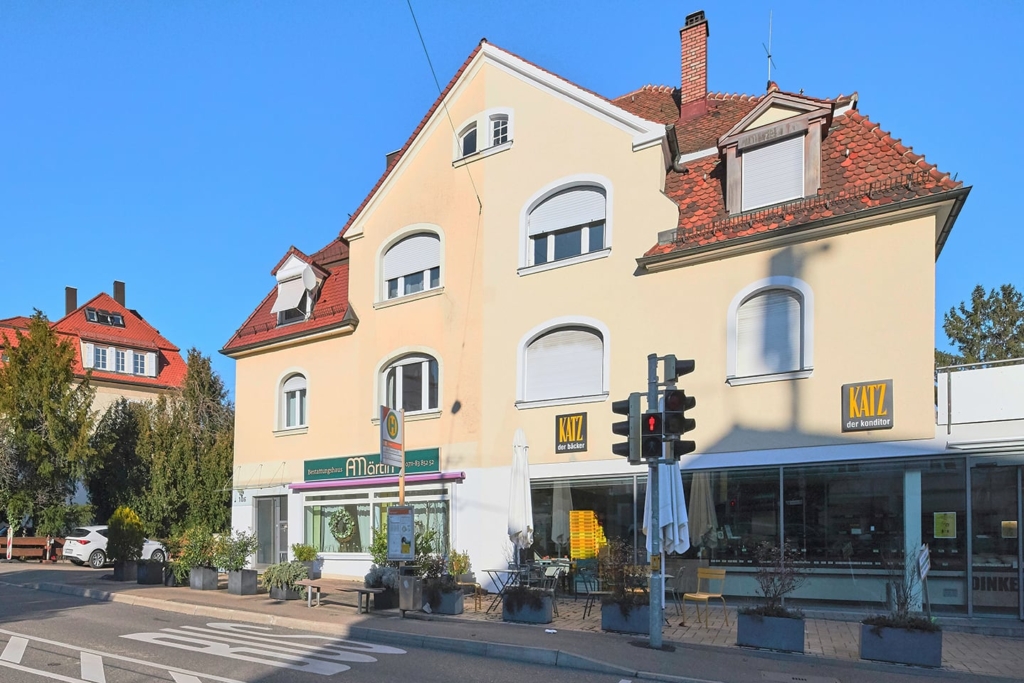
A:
(663, 262)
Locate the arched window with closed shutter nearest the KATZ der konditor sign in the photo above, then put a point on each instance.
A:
(772, 335)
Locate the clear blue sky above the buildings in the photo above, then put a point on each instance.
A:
(182, 147)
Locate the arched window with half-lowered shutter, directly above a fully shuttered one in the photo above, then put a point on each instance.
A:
(570, 223)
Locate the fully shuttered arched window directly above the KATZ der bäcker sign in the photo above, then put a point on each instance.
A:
(566, 363)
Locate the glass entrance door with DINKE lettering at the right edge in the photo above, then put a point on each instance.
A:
(996, 547)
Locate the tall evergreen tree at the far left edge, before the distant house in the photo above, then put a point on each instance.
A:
(46, 419)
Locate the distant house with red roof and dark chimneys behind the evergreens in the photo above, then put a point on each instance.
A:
(126, 356)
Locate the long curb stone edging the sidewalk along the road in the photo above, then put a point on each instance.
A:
(529, 654)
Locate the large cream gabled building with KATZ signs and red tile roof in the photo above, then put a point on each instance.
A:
(523, 254)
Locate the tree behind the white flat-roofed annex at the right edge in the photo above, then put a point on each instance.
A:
(991, 329)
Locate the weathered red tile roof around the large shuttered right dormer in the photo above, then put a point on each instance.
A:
(879, 169)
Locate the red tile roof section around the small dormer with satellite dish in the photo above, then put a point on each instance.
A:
(330, 311)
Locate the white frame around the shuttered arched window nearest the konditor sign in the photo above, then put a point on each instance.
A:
(806, 296)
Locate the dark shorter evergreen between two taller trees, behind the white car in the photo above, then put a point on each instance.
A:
(119, 477)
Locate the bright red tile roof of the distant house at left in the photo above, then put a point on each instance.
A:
(137, 334)
